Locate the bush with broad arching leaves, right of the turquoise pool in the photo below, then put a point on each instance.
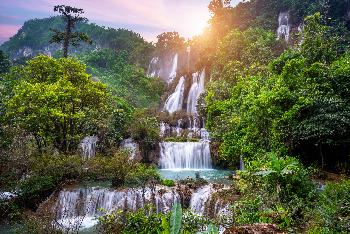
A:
(285, 177)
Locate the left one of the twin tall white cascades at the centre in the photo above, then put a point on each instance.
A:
(175, 100)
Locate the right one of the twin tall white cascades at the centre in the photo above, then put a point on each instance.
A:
(196, 90)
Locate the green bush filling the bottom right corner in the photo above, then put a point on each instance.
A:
(333, 209)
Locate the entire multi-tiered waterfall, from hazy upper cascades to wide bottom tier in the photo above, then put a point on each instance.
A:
(79, 207)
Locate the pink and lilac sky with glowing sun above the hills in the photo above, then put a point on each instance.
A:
(147, 17)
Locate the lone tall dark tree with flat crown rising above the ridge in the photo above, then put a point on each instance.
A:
(71, 16)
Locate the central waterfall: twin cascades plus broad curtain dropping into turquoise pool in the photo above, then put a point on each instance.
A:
(186, 155)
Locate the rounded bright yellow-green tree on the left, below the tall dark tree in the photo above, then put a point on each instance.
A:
(56, 102)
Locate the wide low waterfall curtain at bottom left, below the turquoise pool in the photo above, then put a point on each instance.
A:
(79, 207)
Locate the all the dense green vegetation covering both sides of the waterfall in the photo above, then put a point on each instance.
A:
(282, 106)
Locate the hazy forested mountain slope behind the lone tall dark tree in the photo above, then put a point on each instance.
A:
(118, 57)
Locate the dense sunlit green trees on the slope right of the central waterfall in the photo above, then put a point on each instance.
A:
(294, 103)
